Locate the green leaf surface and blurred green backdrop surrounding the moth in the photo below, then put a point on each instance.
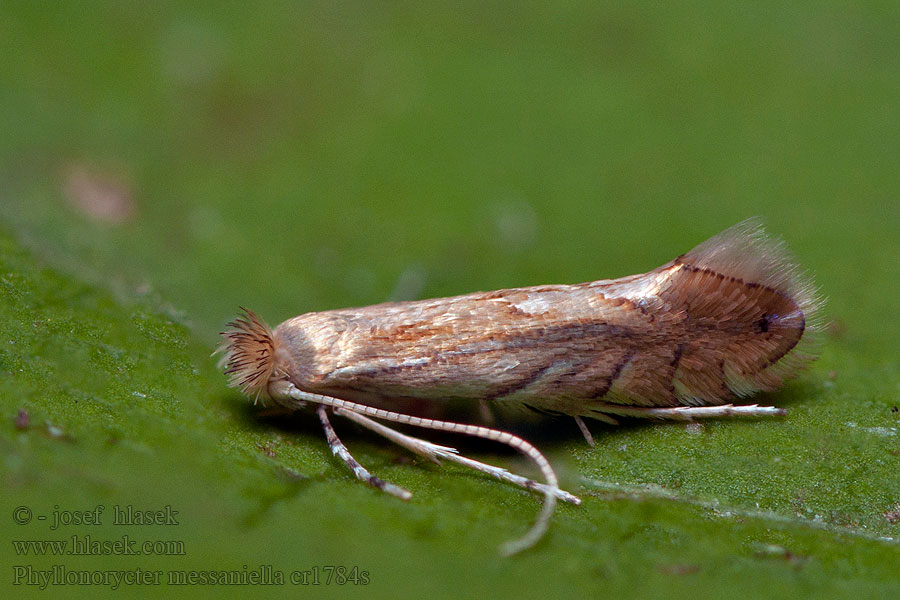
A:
(162, 164)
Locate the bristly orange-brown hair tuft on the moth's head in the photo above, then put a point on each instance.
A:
(248, 355)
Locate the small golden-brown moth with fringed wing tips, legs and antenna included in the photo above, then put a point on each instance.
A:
(732, 317)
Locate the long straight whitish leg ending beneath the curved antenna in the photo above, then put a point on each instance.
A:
(435, 452)
